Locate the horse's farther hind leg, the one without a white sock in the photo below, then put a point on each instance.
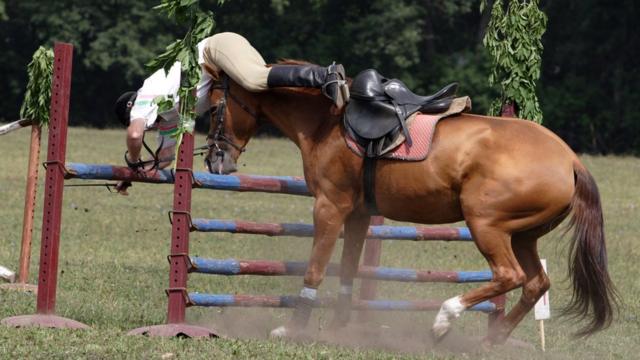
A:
(536, 284)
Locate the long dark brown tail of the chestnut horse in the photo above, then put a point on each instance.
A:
(593, 290)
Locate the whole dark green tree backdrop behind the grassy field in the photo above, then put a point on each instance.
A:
(587, 91)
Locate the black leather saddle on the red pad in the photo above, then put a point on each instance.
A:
(379, 107)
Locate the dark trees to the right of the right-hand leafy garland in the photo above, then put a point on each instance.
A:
(590, 77)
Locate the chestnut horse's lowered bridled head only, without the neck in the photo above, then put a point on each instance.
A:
(232, 125)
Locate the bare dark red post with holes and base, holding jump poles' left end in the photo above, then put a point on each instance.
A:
(52, 210)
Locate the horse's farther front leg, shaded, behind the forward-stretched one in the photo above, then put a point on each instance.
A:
(355, 232)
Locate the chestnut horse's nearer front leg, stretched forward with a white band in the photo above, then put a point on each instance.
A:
(328, 220)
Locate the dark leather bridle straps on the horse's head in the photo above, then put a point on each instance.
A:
(219, 136)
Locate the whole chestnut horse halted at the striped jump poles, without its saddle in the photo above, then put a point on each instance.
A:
(512, 181)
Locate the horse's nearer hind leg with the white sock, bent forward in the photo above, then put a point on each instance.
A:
(495, 245)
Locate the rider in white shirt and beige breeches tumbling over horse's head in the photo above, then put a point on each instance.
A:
(233, 54)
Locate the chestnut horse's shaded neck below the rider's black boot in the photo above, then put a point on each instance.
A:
(303, 118)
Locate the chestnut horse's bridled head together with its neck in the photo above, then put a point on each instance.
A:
(236, 114)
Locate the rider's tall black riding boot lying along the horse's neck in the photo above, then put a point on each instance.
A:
(330, 79)
